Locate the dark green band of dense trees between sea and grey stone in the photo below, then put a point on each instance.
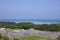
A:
(27, 25)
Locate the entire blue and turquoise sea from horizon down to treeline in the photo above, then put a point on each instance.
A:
(34, 21)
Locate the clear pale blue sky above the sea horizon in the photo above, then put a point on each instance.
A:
(29, 9)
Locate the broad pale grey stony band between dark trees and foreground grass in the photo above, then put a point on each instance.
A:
(28, 33)
